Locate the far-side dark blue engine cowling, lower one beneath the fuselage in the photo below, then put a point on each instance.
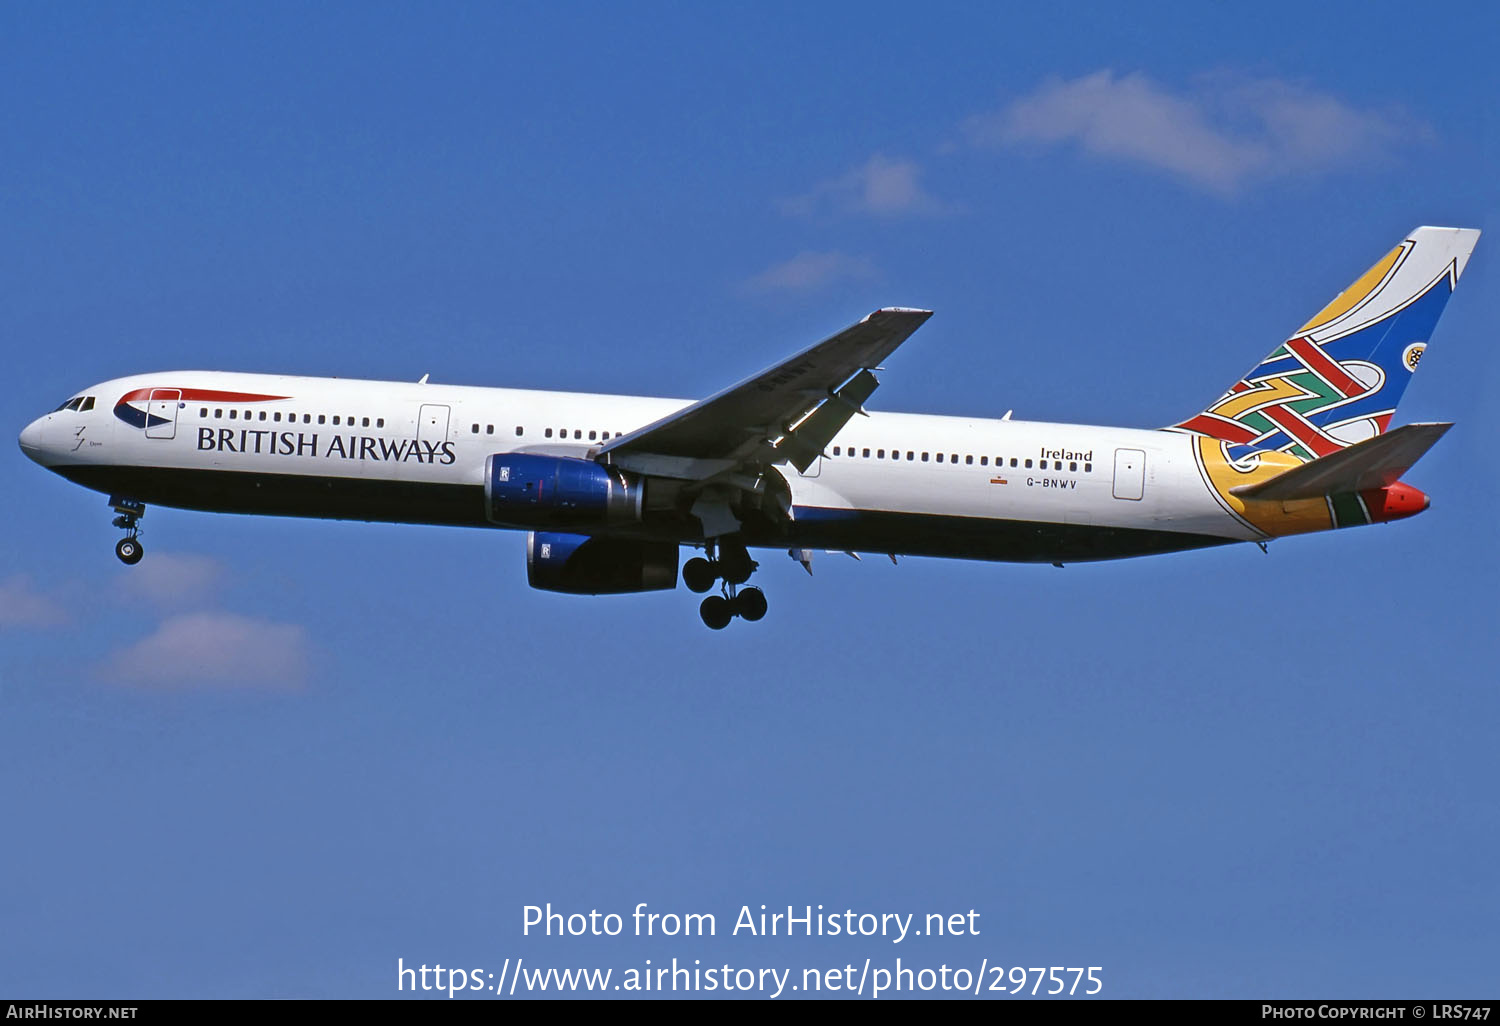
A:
(587, 566)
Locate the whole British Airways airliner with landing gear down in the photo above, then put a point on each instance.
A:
(610, 488)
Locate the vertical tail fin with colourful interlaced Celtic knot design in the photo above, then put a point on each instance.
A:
(1339, 380)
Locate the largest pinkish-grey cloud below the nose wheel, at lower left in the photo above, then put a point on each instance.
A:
(214, 649)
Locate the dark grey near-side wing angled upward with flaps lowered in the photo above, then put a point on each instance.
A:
(784, 415)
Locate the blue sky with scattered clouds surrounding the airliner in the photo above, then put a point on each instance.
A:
(280, 755)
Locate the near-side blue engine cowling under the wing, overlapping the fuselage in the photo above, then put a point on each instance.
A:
(524, 490)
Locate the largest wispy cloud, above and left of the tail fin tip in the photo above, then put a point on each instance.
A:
(1220, 136)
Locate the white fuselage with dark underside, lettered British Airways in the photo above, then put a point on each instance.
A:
(248, 437)
